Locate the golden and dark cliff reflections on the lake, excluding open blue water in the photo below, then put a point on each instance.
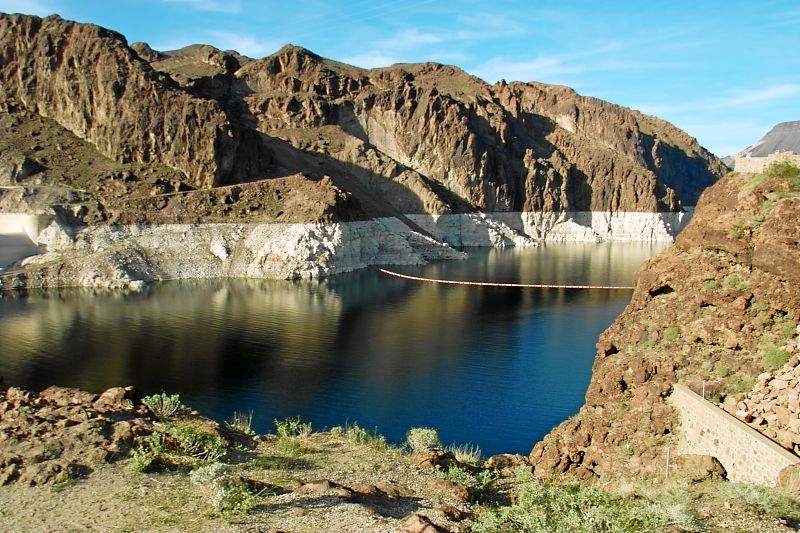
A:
(292, 340)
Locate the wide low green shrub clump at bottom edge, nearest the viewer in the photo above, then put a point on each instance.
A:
(540, 508)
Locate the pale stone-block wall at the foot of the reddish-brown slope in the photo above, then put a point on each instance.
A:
(747, 455)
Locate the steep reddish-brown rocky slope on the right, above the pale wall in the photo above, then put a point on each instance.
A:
(714, 311)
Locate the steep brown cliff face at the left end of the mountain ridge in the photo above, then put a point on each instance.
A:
(88, 80)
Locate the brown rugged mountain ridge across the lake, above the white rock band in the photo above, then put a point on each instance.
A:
(95, 123)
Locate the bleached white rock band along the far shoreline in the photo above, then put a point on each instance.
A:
(119, 256)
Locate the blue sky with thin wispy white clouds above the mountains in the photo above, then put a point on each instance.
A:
(724, 71)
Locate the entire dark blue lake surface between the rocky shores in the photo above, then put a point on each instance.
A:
(496, 367)
